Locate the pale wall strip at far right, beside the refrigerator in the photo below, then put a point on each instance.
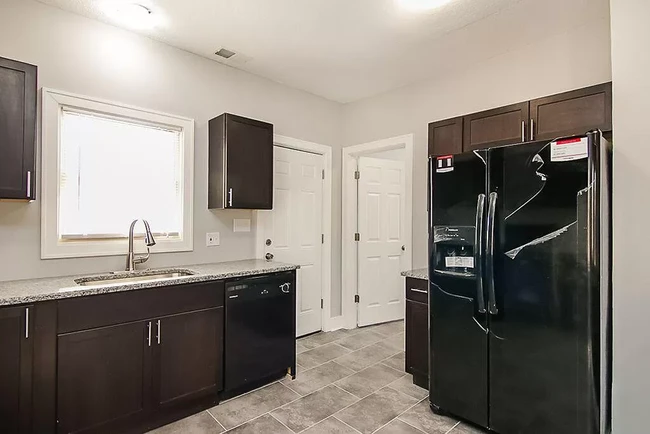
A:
(631, 281)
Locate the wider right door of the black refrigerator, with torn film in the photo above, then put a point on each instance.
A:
(541, 309)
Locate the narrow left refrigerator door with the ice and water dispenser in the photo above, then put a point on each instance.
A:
(457, 319)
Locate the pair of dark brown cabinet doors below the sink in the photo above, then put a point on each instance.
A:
(115, 378)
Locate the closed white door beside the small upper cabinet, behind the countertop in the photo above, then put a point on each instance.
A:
(292, 230)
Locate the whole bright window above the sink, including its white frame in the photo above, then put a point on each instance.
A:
(105, 165)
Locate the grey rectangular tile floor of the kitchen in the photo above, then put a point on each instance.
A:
(348, 382)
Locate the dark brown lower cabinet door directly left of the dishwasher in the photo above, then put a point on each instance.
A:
(189, 349)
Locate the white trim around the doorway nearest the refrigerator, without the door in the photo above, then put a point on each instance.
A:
(349, 260)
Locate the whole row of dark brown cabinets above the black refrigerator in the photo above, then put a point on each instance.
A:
(564, 114)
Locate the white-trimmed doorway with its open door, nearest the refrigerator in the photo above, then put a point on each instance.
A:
(377, 229)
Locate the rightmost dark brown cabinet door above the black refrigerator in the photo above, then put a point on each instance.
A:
(572, 113)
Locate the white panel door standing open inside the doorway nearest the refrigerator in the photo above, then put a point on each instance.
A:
(381, 211)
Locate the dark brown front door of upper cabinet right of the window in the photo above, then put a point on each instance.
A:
(249, 163)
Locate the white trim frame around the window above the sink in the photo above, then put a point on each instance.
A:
(53, 101)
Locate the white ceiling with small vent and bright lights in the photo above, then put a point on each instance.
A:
(346, 50)
